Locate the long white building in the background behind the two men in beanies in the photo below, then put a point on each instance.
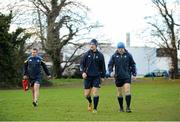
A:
(145, 57)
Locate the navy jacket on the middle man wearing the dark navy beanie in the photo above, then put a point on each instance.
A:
(93, 64)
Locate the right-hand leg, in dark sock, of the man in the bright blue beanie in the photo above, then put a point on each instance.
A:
(128, 96)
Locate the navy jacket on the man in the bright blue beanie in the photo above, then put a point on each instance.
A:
(124, 65)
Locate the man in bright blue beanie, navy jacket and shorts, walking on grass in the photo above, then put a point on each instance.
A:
(125, 67)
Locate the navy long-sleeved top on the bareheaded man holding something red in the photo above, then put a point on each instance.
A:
(32, 67)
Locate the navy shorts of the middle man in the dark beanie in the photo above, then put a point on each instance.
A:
(90, 82)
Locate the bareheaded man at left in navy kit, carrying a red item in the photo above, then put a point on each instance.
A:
(32, 71)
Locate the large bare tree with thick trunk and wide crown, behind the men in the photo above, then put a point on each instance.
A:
(57, 23)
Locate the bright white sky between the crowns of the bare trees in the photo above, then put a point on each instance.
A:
(120, 17)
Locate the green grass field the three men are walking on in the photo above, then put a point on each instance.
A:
(151, 100)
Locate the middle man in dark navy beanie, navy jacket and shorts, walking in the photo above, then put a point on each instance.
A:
(93, 69)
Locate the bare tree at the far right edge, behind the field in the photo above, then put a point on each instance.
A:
(165, 31)
